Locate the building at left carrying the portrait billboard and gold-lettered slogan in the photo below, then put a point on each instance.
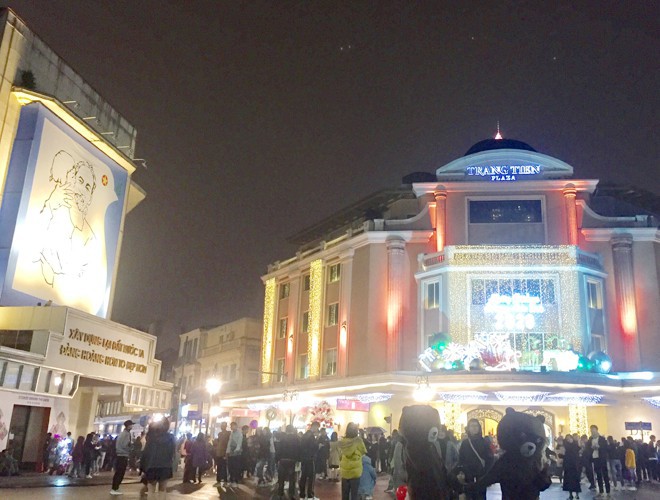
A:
(66, 161)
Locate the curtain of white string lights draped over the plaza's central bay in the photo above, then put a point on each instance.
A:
(552, 269)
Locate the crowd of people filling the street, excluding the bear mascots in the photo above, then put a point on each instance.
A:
(294, 460)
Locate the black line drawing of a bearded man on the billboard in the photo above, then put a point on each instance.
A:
(68, 235)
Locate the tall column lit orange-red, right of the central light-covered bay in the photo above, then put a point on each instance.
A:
(625, 298)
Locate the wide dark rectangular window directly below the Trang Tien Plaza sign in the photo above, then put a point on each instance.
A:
(505, 211)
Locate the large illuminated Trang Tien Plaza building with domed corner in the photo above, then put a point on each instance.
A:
(499, 280)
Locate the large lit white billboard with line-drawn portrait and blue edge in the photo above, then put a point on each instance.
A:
(60, 218)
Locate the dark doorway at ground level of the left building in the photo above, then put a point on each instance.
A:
(27, 434)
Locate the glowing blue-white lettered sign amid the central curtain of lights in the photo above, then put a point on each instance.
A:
(514, 312)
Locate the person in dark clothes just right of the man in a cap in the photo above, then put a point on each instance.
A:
(158, 456)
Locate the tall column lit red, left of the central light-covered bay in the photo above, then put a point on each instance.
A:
(396, 254)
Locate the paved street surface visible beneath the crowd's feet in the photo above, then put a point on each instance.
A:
(35, 487)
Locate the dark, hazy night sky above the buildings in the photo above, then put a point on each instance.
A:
(258, 119)
